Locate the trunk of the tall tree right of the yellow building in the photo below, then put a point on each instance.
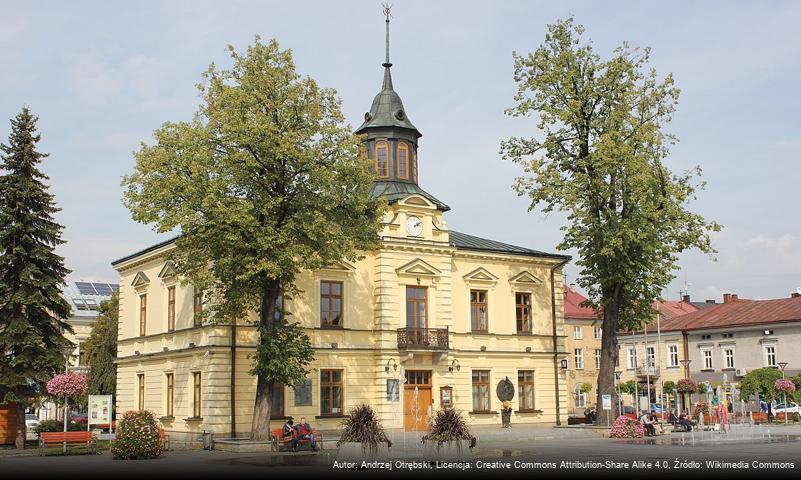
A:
(609, 354)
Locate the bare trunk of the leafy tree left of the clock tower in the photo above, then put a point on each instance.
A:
(260, 425)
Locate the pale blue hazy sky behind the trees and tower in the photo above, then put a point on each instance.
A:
(102, 76)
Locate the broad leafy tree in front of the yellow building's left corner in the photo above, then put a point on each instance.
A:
(264, 182)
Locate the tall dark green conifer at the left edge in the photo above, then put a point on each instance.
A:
(32, 309)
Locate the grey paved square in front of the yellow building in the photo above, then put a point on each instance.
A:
(582, 448)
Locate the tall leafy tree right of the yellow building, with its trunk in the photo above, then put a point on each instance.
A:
(599, 158)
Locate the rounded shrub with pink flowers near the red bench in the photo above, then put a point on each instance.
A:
(137, 437)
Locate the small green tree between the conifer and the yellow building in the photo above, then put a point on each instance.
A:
(101, 349)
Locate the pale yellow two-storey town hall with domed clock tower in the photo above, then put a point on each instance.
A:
(433, 318)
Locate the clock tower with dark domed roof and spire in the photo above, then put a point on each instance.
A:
(392, 144)
